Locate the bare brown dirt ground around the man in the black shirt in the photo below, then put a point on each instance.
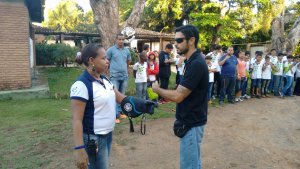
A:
(257, 133)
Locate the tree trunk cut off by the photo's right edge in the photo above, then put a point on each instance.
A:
(293, 36)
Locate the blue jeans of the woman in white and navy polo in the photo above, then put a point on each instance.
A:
(101, 159)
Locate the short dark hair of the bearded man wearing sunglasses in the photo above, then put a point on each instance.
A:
(189, 31)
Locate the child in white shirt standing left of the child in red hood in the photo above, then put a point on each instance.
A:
(140, 75)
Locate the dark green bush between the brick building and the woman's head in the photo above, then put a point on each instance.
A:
(59, 54)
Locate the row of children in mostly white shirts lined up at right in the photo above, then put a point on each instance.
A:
(279, 70)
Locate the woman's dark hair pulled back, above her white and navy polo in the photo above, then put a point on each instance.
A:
(90, 50)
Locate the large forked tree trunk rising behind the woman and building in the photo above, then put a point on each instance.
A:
(107, 18)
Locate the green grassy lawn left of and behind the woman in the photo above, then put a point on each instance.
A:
(35, 132)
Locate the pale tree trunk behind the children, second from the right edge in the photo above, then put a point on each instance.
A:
(278, 38)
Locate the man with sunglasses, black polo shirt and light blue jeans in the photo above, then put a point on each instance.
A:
(190, 96)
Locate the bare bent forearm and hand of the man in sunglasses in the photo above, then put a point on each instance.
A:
(176, 96)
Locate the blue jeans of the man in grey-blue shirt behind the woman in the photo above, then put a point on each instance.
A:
(121, 85)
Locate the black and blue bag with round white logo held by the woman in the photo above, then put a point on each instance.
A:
(134, 107)
